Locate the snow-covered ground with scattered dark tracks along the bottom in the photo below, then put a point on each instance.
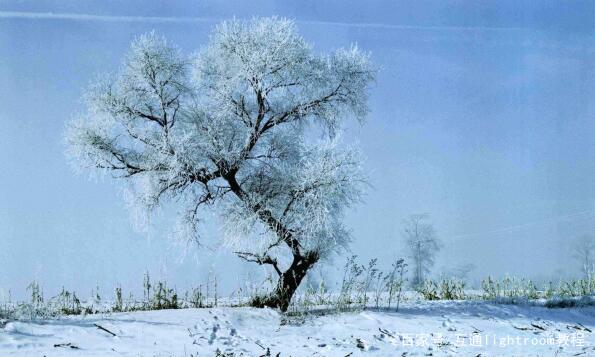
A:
(465, 328)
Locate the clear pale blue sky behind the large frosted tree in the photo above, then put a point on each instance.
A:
(482, 116)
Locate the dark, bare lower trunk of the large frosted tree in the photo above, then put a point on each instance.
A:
(290, 280)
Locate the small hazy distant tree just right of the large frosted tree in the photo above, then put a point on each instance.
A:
(423, 245)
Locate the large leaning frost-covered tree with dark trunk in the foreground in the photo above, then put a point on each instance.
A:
(230, 128)
